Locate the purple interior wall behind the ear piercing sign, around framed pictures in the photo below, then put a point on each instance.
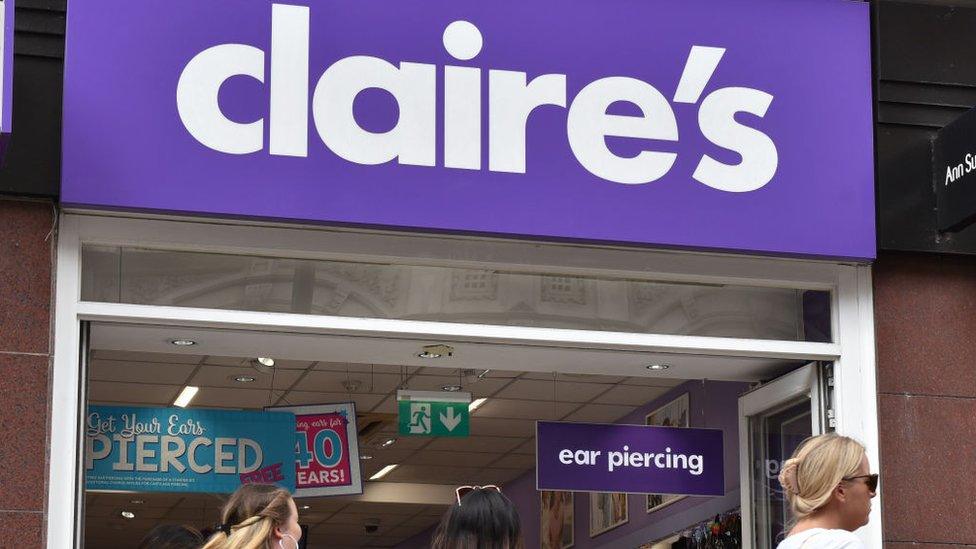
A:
(711, 404)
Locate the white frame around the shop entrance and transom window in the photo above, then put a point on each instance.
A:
(855, 403)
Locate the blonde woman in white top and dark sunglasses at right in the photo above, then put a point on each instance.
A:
(829, 486)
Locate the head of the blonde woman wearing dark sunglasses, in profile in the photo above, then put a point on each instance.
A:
(829, 473)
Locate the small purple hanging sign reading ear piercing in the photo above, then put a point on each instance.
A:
(634, 459)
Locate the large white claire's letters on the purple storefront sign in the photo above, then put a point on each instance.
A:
(512, 98)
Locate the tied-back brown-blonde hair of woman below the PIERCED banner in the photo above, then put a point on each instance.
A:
(250, 516)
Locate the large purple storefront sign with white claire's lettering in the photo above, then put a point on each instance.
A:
(705, 124)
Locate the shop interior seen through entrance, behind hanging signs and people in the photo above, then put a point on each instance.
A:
(409, 480)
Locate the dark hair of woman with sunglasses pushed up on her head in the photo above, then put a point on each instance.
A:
(484, 519)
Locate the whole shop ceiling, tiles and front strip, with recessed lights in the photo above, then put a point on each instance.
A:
(136, 365)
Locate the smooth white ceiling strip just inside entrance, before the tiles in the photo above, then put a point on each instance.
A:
(304, 348)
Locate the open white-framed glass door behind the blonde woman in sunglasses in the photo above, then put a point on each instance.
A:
(773, 420)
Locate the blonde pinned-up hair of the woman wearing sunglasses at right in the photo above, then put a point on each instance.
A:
(818, 465)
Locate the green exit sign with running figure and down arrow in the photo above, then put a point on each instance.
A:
(433, 413)
